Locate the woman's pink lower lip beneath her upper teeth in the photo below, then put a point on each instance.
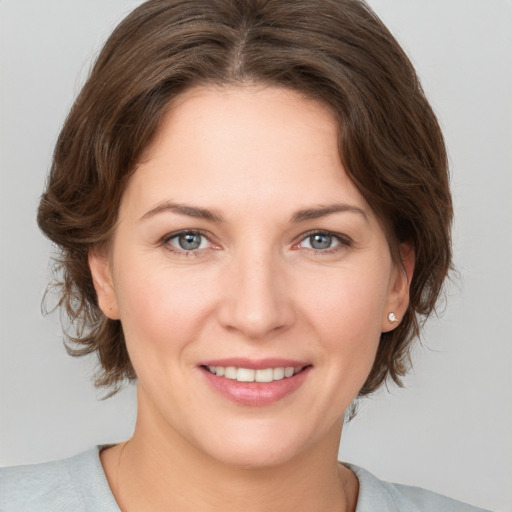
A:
(256, 393)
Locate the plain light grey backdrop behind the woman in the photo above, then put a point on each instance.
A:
(450, 428)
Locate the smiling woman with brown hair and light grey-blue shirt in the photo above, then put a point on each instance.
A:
(252, 203)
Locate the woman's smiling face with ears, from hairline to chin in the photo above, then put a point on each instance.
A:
(251, 278)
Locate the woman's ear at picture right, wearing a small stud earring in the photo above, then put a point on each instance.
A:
(398, 297)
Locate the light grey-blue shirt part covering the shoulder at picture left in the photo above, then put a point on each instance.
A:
(71, 485)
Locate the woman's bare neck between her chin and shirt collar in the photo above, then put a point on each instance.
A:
(158, 470)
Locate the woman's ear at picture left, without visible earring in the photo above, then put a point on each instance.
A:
(101, 272)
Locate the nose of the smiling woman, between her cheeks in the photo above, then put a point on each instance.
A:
(256, 301)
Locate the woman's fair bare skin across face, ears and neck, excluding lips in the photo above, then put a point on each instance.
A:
(256, 288)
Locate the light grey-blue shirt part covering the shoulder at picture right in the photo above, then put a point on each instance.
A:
(378, 496)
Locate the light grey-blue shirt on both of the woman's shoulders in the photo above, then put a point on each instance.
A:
(78, 484)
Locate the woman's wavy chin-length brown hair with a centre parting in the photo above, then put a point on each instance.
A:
(335, 51)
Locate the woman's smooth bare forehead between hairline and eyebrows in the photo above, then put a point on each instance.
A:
(241, 146)
